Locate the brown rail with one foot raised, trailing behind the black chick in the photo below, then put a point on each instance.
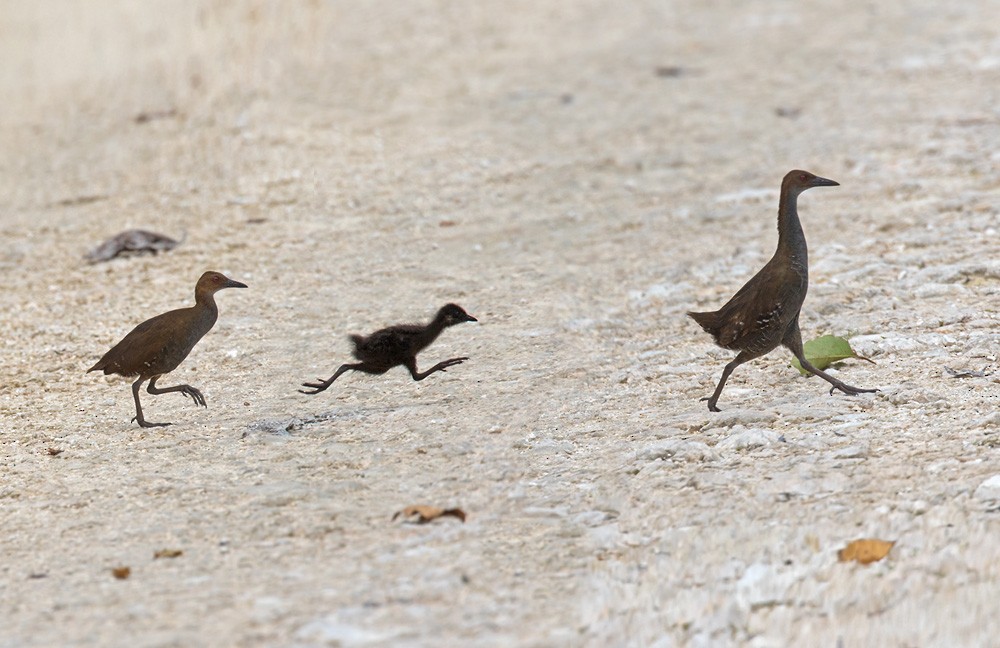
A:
(159, 345)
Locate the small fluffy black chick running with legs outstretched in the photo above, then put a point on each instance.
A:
(398, 345)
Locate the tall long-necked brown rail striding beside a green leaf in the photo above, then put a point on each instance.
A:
(765, 312)
